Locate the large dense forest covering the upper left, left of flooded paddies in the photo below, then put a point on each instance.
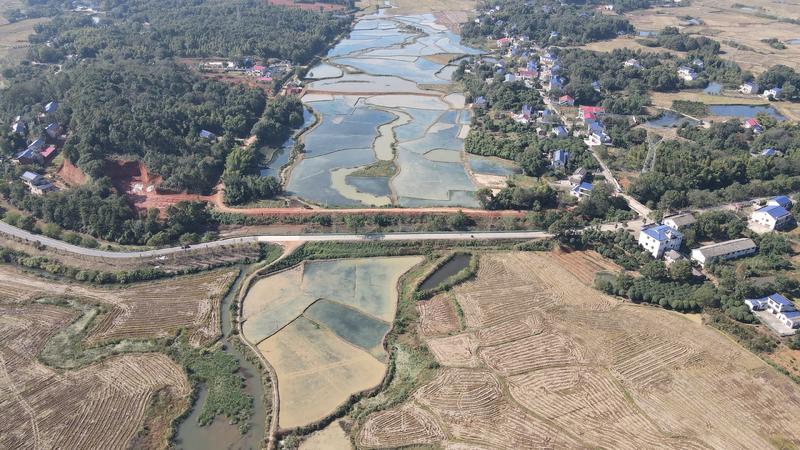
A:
(123, 94)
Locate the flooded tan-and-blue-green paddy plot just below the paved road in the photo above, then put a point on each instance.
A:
(321, 326)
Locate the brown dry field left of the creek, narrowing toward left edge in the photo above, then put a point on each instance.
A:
(142, 310)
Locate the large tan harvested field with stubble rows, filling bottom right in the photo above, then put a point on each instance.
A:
(546, 361)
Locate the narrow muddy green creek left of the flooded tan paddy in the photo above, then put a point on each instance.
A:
(221, 434)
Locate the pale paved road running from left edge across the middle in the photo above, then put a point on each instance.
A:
(331, 237)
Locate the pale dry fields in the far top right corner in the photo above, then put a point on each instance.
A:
(726, 20)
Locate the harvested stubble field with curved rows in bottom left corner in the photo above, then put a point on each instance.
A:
(99, 406)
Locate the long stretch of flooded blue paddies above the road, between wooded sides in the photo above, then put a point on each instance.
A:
(384, 94)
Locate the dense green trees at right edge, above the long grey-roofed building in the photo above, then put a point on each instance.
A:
(715, 165)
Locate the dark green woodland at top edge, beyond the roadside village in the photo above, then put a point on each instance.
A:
(547, 22)
